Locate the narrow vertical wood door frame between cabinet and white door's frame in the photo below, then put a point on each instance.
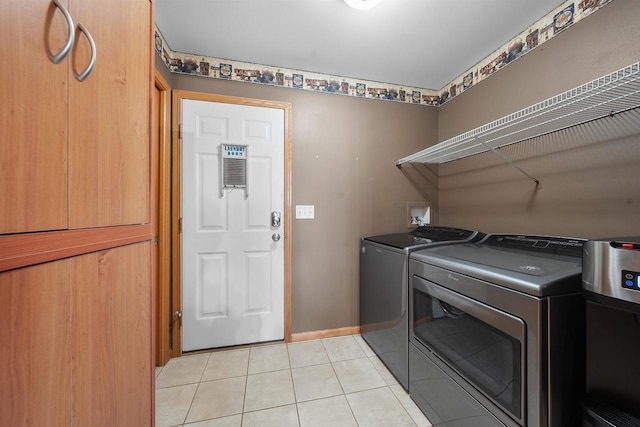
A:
(161, 210)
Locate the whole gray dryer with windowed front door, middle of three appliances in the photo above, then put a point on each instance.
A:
(497, 332)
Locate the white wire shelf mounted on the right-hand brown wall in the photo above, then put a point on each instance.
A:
(602, 97)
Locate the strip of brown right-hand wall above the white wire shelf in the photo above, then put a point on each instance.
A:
(599, 44)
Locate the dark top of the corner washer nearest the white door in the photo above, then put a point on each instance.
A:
(425, 236)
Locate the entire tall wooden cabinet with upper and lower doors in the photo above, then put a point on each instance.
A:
(76, 257)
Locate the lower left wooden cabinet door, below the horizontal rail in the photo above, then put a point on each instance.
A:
(35, 362)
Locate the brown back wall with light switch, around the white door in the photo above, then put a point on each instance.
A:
(344, 152)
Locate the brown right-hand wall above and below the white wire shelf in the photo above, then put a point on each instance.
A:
(589, 174)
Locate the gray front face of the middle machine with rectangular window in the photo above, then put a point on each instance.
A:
(468, 358)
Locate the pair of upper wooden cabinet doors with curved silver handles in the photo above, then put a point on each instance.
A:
(75, 154)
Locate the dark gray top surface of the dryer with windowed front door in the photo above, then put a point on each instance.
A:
(535, 265)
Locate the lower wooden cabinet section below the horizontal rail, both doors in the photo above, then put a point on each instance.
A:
(77, 350)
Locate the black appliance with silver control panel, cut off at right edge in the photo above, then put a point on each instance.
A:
(611, 284)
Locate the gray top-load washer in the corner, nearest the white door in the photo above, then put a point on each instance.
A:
(384, 290)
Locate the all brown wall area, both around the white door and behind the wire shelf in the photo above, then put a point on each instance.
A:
(344, 151)
